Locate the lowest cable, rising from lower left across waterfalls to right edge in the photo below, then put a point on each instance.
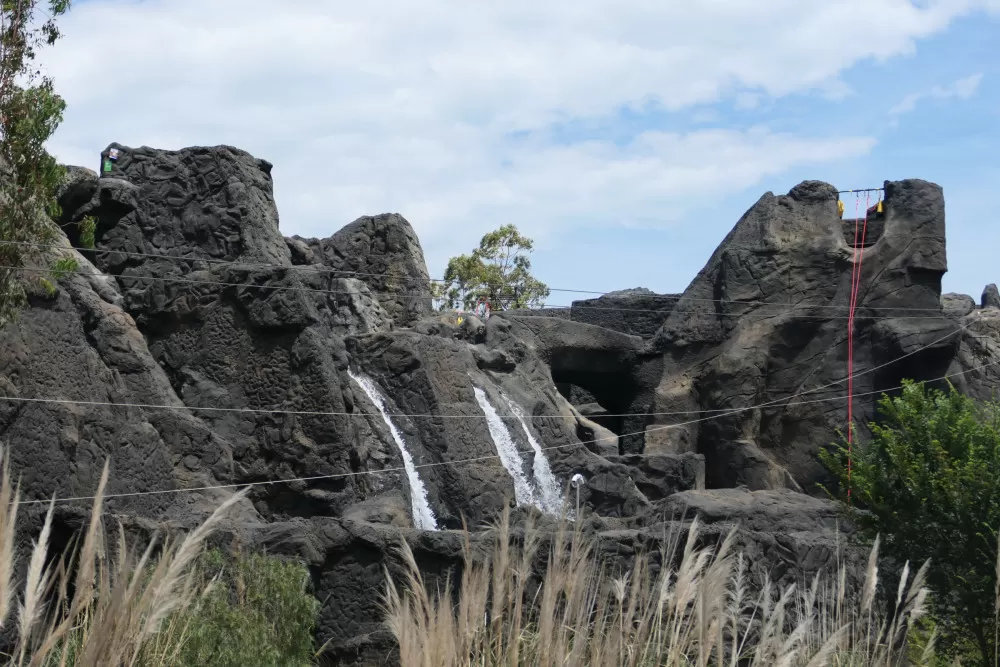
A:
(436, 464)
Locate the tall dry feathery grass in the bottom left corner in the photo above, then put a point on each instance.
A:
(87, 608)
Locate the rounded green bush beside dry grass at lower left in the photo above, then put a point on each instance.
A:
(258, 611)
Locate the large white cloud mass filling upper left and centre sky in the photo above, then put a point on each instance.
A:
(399, 105)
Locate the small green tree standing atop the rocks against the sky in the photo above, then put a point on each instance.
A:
(498, 271)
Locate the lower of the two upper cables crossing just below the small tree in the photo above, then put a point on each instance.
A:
(787, 307)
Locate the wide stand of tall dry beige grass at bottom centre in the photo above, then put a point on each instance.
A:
(702, 611)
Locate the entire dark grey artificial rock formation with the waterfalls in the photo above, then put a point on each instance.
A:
(198, 346)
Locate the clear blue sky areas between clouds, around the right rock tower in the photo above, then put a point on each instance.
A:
(951, 141)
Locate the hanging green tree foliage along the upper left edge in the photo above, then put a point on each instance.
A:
(30, 112)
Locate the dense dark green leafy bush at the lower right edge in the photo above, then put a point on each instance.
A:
(929, 482)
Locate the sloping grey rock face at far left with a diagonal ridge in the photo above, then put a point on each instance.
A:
(84, 357)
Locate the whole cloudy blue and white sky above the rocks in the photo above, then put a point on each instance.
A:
(625, 136)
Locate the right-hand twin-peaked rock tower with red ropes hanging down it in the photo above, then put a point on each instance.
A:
(765, 322)
